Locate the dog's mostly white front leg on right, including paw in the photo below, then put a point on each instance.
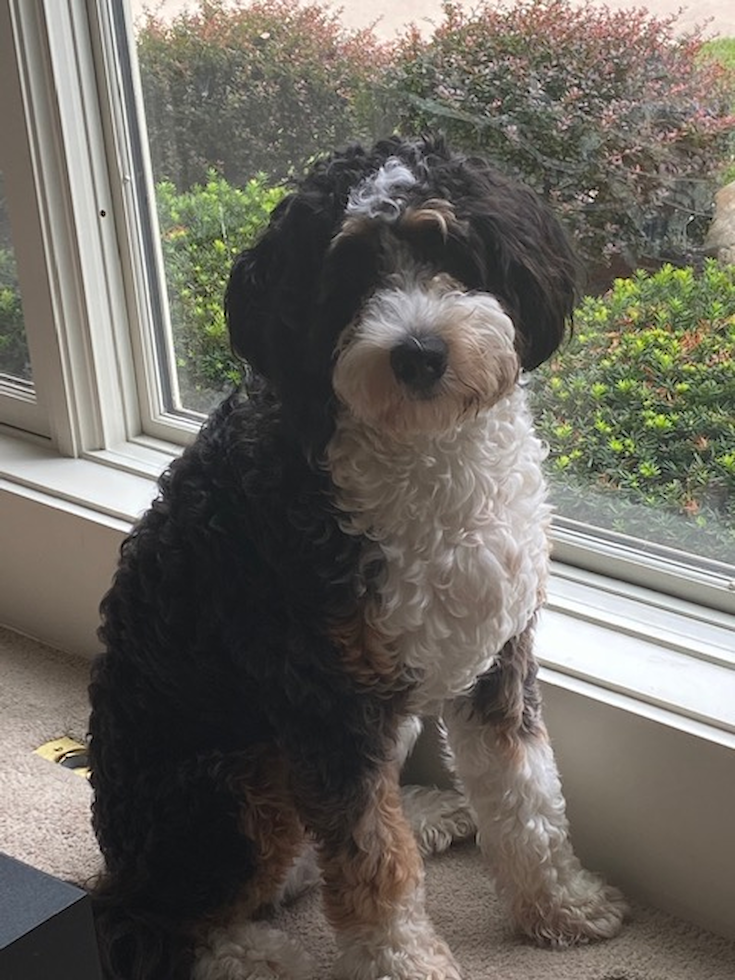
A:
(503, 757)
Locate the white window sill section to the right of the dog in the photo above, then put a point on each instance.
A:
(670, 655)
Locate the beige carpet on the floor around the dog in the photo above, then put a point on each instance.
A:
(44, 821)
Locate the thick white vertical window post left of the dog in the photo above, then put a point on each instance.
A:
(84, 357)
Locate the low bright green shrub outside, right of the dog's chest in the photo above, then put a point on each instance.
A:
(641, 403)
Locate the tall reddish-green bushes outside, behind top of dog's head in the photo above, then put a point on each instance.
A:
(622, 125)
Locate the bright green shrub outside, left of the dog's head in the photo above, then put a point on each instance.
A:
(202, 230)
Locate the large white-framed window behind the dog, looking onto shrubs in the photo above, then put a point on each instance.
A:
(158, 143)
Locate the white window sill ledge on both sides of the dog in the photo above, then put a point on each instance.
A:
(666, 654)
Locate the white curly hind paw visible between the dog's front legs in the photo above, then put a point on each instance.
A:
(438, 817)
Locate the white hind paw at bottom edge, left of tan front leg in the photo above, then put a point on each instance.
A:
(251, 951)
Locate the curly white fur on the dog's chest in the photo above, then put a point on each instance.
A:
(460, 522)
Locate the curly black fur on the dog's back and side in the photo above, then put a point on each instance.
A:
(215, 632)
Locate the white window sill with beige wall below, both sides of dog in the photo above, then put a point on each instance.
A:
(639, 690)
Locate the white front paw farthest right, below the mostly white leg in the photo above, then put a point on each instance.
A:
(585, 911)
